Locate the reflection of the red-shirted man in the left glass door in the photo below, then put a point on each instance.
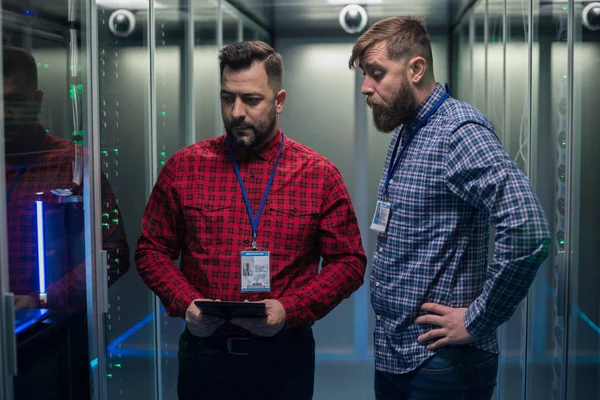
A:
(41, 166)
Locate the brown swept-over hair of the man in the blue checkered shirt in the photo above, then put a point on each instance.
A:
(406, 37)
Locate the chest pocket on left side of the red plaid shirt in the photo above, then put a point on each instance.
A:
(206, 222)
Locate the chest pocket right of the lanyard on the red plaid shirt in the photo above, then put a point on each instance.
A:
(295, 227)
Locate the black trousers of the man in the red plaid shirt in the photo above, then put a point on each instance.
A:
(218, 368)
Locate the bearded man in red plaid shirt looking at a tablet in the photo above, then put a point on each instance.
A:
(252, 191)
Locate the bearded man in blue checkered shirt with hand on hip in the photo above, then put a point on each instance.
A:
(446, 178)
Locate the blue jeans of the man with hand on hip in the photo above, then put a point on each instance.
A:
(454, 373)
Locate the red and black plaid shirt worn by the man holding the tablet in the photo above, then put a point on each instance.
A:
(196, 208)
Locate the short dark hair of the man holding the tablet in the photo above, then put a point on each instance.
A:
(240, 56)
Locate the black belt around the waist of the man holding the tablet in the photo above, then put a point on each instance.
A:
(294, 339)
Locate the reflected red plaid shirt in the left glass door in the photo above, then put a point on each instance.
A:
(49, 169)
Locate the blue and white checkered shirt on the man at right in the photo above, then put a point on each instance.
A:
(454, 180)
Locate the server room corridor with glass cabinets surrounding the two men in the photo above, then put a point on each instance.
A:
(118, 87)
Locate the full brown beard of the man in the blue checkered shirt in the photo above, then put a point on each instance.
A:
(401, 111)
